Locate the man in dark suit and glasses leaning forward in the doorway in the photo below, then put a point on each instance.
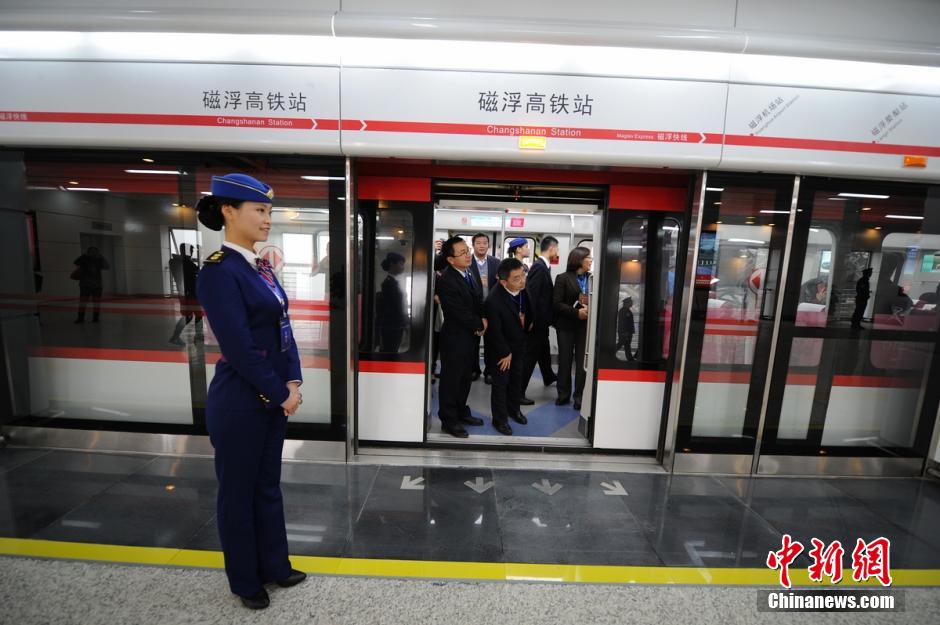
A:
(510, 320)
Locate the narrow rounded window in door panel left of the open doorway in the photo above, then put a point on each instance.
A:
(392, 273)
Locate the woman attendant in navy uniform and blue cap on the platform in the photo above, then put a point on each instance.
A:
(255, 388)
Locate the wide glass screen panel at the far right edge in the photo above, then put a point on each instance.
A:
(859, 331)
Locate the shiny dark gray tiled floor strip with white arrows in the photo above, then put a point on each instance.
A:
(438, 513)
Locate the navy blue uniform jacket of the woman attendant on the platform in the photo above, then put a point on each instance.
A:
(245, 317)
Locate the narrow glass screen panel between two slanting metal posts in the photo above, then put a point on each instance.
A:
(737, 274)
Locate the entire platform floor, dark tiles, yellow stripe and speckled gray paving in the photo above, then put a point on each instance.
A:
(91, 537)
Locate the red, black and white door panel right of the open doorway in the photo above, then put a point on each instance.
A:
(639, 300)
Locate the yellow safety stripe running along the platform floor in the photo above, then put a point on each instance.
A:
(434, 569)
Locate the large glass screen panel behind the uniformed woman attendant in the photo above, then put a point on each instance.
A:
(119, 334)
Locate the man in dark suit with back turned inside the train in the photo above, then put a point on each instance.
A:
(539, 289)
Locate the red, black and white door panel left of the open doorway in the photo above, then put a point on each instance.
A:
(395, 249)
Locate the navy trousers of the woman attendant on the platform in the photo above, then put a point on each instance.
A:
(248, 447)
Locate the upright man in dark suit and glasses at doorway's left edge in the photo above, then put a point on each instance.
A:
(462, 303)
